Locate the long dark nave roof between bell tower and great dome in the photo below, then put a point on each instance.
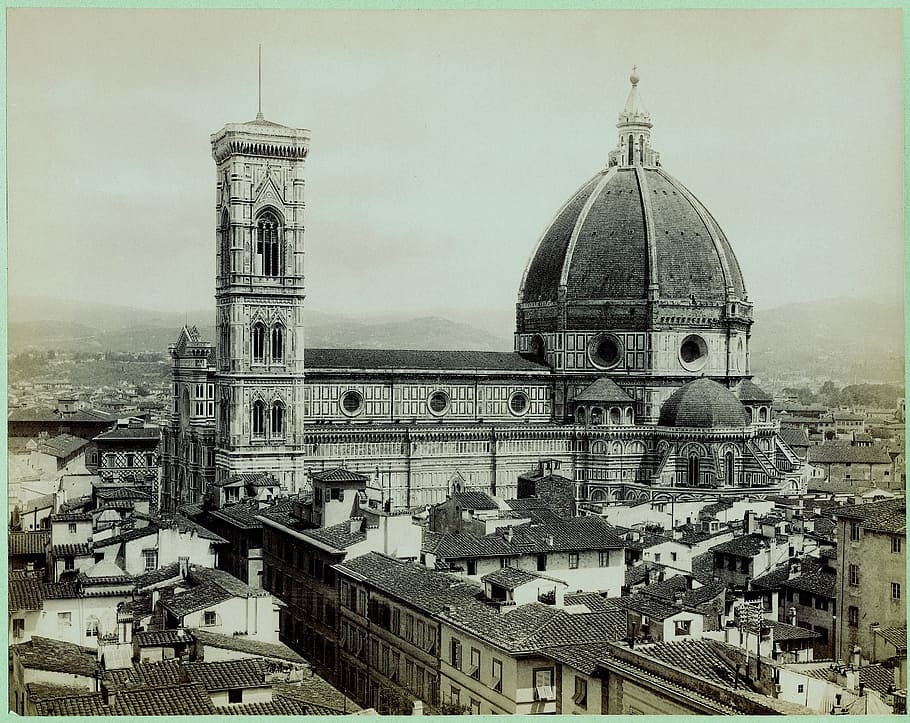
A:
(322, 359)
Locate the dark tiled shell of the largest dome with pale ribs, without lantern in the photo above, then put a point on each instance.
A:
(628, 229)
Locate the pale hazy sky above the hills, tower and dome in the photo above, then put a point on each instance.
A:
(443, 143)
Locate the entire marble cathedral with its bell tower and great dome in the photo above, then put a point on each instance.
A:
(630, 369)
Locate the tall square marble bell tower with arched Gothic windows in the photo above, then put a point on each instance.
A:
(259, 293)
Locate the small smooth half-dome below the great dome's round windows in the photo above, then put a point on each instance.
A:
(702, 403)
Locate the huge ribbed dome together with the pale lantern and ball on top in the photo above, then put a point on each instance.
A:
(630, 242)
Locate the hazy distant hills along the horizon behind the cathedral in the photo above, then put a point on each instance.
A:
(837, 339)
